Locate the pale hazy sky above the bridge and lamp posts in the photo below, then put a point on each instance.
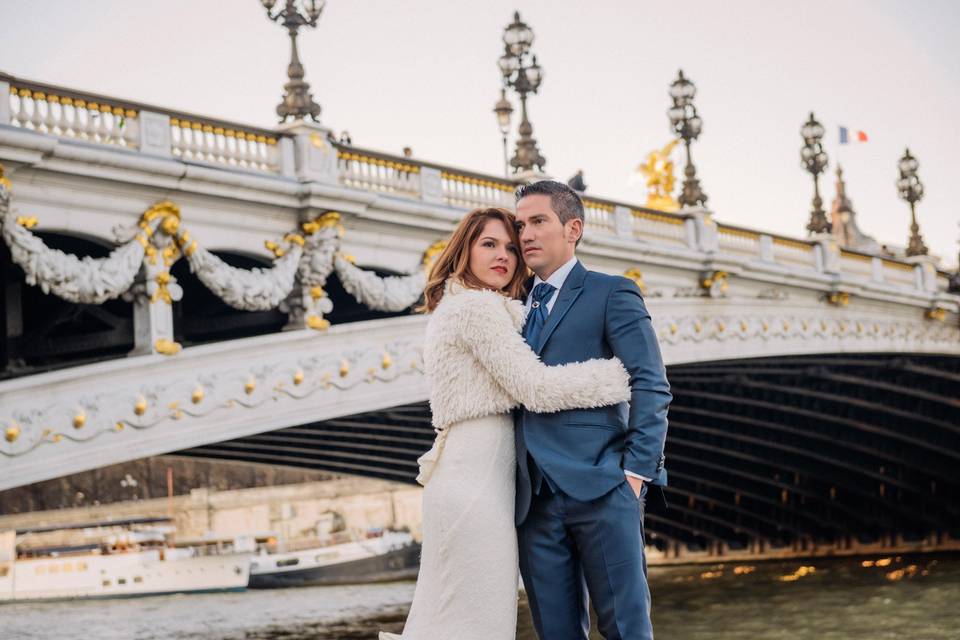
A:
(423, 73)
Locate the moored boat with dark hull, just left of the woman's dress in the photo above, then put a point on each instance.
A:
(379, 556)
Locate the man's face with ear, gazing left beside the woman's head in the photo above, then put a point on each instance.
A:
(546, 243)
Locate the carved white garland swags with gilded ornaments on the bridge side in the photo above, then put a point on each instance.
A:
(294, 283)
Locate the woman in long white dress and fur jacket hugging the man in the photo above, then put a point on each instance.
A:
(479, 368)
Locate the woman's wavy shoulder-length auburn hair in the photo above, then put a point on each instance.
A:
(454, 260)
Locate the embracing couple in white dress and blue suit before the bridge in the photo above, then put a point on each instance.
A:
(549, 398)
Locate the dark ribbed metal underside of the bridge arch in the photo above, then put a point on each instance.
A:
(780, 451)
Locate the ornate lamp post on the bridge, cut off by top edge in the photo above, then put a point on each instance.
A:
(297, 102)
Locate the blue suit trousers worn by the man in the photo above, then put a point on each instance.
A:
(573, 553)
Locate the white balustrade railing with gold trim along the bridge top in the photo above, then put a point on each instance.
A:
(137, 127)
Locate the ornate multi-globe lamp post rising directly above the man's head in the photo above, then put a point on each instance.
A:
(522, 73)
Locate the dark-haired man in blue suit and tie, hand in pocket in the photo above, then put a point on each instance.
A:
(582, 476)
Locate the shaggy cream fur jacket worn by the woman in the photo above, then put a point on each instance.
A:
(478, 364)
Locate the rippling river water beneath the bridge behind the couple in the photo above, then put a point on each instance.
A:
(902, 598)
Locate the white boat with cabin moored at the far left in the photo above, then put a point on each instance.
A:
(120, 562)
